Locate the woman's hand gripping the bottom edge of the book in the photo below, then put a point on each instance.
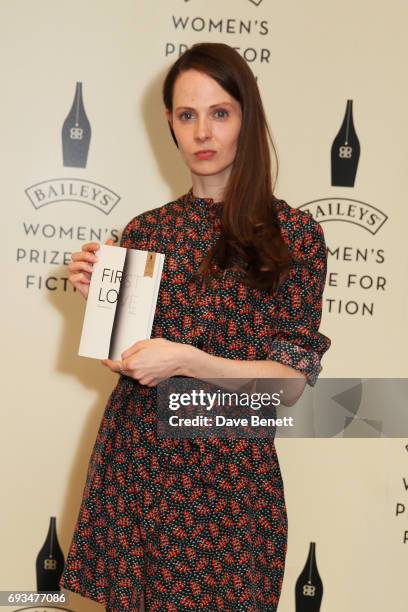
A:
(151, 361)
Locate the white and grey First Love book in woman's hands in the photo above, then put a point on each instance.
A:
(121, 301)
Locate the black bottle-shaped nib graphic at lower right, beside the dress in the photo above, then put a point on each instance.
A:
(309, 586)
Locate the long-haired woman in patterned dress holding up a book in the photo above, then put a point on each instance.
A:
(201, 524)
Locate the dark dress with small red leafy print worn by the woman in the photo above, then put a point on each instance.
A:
(200, 524)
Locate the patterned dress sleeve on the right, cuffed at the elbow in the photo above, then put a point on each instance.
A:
(297, 309)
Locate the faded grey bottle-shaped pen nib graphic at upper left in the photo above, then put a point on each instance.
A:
(76, 133)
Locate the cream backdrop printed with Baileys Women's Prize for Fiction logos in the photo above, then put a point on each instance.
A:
(326, 71)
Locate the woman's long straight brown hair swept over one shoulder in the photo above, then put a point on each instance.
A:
(250, 238)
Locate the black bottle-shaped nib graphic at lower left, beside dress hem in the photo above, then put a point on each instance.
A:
(50, 561)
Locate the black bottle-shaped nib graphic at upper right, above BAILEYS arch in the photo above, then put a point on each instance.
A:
(345, 151)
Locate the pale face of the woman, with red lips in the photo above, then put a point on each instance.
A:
(206, 121)
